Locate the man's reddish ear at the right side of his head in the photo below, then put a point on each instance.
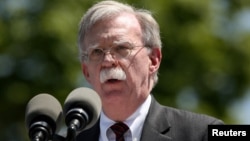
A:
(155, 58)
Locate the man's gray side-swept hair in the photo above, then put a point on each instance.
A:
(108, 9)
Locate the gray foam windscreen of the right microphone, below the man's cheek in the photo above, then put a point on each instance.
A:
(88, 100)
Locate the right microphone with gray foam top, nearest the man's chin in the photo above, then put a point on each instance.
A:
(81, 109)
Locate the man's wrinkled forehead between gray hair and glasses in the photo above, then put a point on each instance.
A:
(107, 35)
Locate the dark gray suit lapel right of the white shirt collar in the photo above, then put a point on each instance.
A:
(156, 125)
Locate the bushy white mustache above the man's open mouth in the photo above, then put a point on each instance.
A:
(112, 73)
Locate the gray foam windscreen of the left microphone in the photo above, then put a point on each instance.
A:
(43, 105)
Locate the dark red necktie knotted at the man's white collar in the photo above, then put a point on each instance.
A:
(119, 129)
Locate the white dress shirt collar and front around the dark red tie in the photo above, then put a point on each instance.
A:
(135, 123)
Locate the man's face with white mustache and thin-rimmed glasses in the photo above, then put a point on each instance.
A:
(132, 84)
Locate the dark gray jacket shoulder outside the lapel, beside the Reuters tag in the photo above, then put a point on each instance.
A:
(189, 125)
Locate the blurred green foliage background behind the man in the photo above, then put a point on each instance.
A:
(205, 66)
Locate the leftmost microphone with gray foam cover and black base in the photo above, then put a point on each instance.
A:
(43, 115)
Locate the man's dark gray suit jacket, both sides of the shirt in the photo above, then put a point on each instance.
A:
(165, 124)
